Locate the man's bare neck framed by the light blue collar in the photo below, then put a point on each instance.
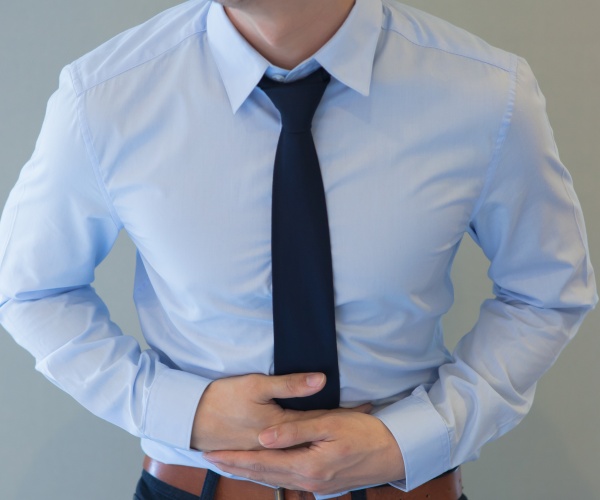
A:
(287, 32)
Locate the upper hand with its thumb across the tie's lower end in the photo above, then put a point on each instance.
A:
(234, 411)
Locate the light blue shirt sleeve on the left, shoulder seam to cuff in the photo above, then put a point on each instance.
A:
(57, 226)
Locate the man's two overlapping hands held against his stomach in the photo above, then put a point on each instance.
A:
(244, 432)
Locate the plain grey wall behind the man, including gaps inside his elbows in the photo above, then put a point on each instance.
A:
(51, 448)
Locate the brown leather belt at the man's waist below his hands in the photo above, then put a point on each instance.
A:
(448, 486)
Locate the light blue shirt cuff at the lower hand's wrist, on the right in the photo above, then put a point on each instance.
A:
(422, 437)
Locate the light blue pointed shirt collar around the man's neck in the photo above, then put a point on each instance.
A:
(348, 56)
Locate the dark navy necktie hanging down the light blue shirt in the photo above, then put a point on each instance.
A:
(303, 302)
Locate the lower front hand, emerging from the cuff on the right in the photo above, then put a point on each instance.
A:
(342, 451)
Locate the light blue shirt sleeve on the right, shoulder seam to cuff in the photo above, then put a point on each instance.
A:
(530, 226)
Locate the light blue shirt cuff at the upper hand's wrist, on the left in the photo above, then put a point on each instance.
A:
(172, 405)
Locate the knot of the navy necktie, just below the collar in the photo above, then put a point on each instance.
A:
(297, 101)
